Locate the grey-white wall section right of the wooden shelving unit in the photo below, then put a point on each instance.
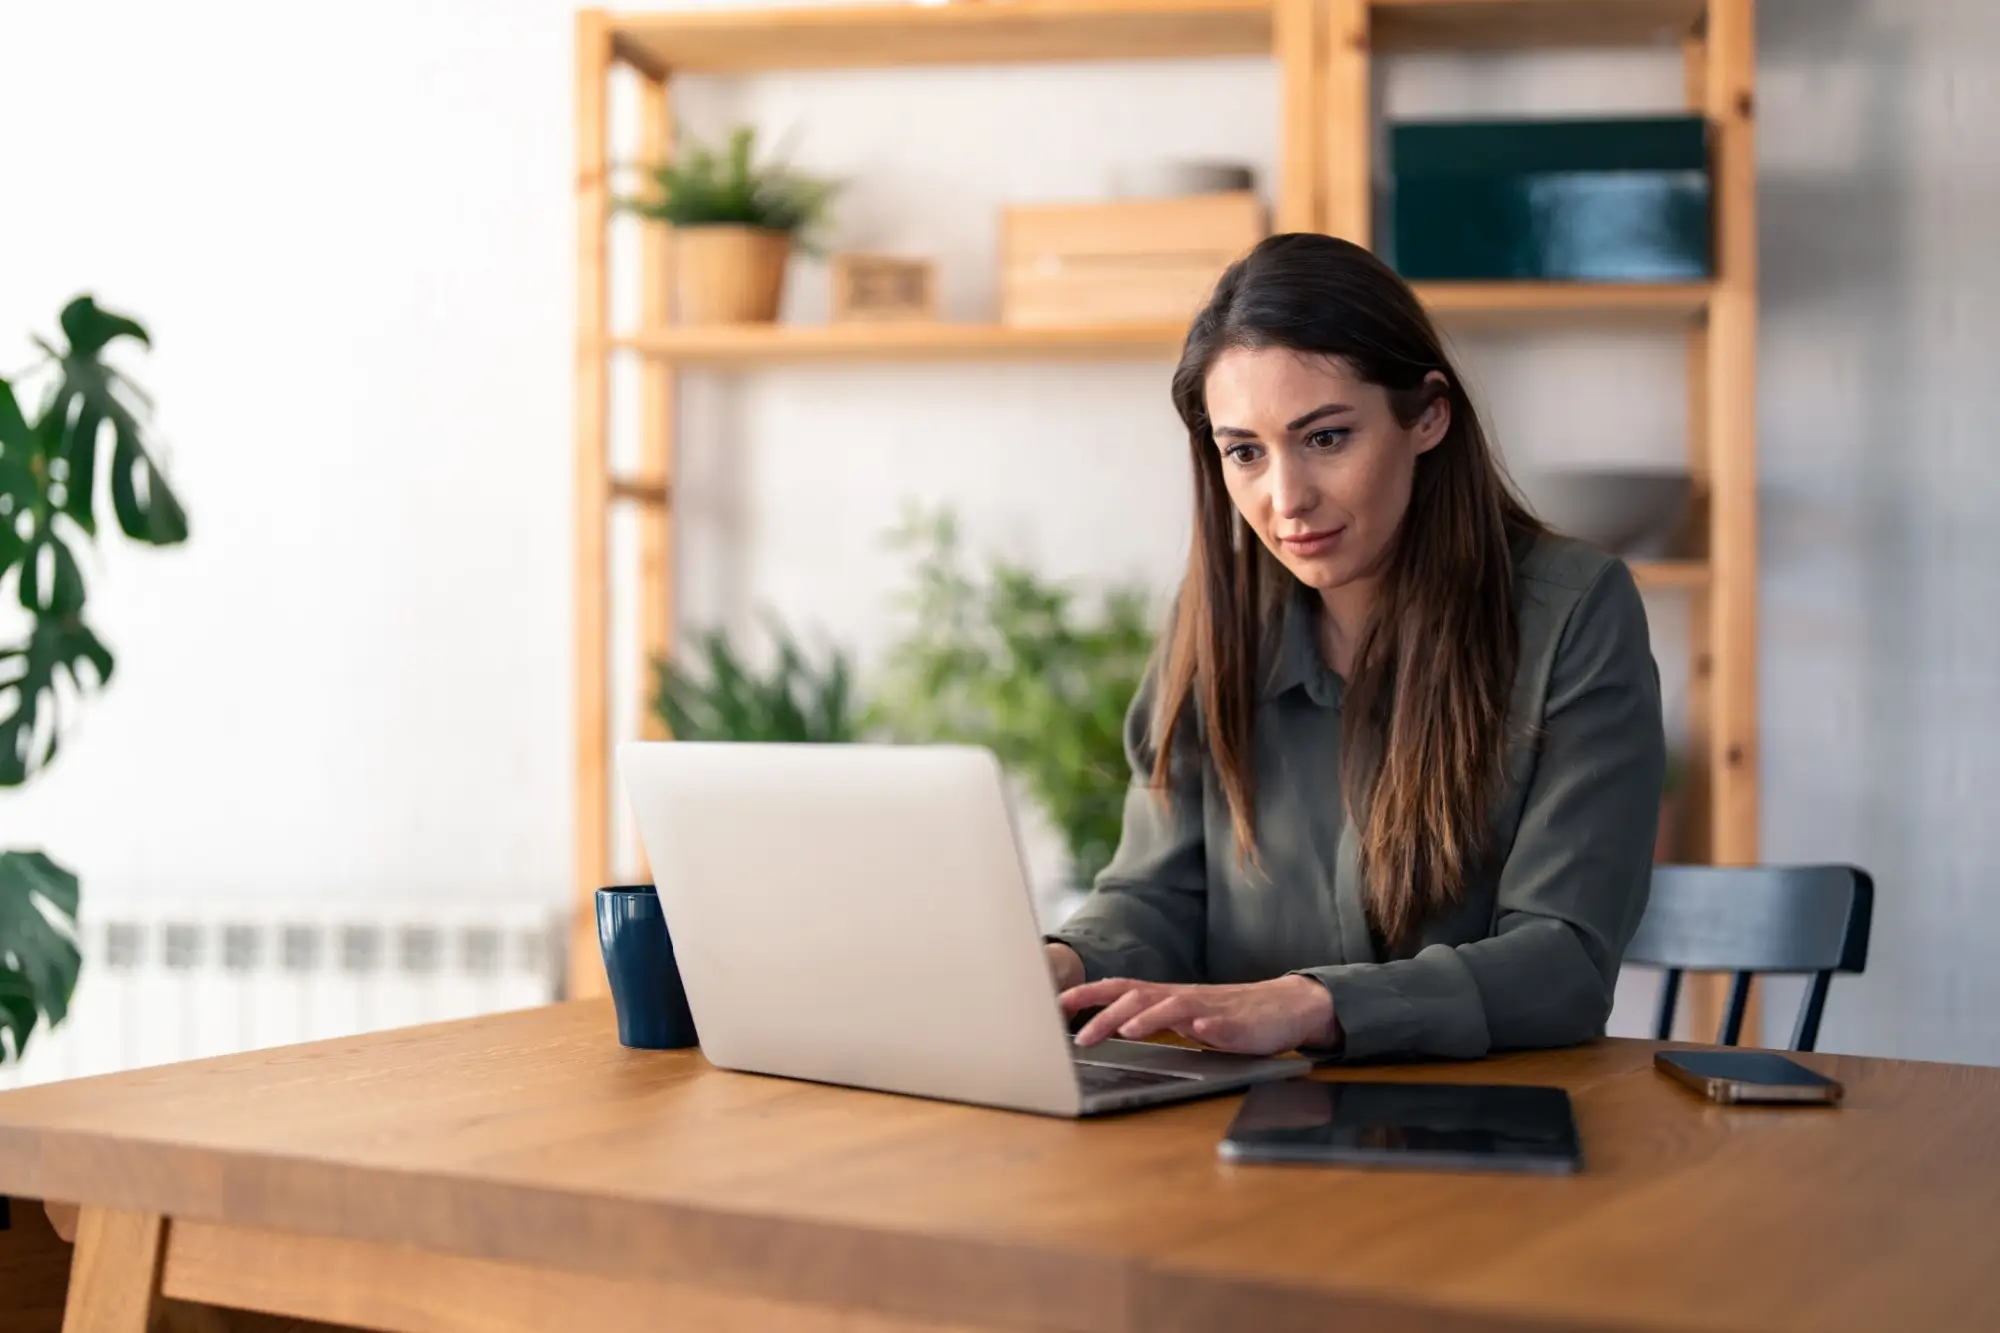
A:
(1881, 171)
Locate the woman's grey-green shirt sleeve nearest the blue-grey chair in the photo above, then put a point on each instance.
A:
(1575, 882)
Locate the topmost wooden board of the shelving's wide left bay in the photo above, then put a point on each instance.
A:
(891, 35)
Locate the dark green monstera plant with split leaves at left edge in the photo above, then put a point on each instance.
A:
(51, 465)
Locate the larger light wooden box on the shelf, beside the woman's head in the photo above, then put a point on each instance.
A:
(1127, 261)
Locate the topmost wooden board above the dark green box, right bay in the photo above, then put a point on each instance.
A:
(1499, 25)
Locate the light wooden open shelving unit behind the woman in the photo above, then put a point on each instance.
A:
(1323, 53)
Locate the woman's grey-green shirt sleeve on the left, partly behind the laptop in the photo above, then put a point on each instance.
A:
(1147, 918)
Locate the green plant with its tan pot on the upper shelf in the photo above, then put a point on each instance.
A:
(735, 227)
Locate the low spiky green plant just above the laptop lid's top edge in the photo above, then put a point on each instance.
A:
(727, 700)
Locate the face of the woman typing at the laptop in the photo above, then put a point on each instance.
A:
(1315, 459)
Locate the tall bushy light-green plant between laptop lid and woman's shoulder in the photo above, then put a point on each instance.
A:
(1021, 665)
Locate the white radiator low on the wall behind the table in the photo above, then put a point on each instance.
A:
(175, 982)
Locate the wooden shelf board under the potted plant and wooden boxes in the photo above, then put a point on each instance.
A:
(759, 345)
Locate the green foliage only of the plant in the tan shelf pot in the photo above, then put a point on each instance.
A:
(705, 187)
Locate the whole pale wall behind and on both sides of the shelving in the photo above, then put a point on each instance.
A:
(351, 235)
